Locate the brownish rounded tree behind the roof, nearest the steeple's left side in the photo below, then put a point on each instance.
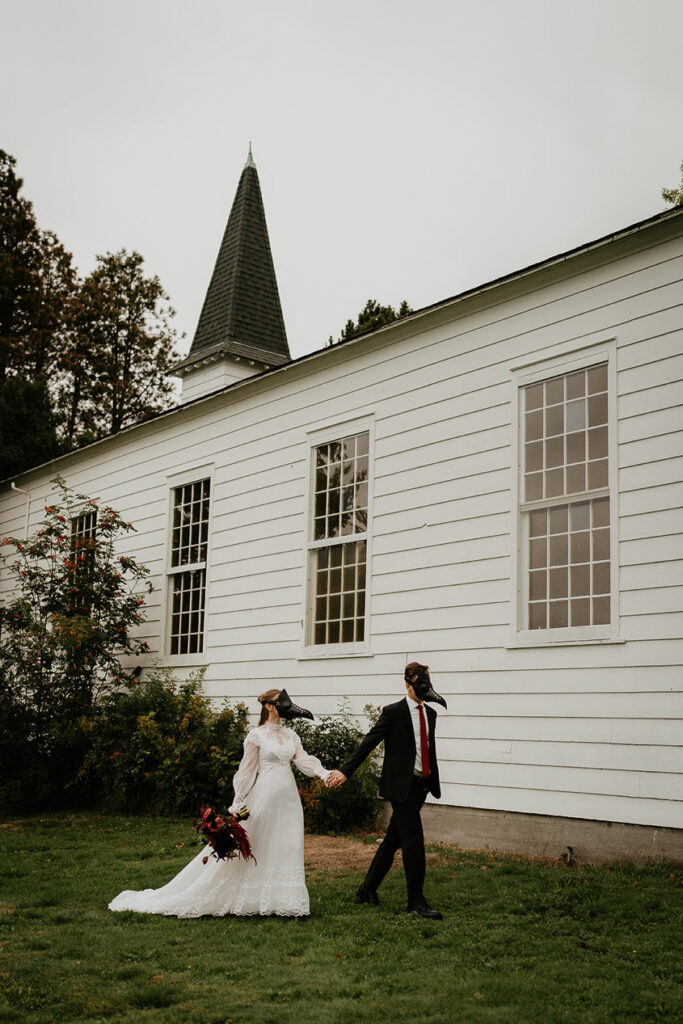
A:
(119, 352)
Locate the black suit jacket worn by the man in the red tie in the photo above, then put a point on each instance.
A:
(395, 727)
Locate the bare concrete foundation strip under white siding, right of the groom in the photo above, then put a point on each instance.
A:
(542, 836)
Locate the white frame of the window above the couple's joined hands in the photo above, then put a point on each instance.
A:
(324, 436)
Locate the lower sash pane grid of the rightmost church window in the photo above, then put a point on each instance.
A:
(570, 568)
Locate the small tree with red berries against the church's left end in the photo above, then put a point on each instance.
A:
(76, 601)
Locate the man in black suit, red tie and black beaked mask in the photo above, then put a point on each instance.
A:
(410, 772)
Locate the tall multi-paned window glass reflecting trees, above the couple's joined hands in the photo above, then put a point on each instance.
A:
(339, 547)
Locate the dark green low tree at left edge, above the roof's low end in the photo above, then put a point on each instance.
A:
(27, 425)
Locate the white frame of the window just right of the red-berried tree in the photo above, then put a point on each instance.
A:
(174, 481)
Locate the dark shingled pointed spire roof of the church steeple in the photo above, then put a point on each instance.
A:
(242, 316)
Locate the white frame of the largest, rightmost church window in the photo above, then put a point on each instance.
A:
(544, 368)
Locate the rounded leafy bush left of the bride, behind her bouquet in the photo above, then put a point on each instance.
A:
(162, 749)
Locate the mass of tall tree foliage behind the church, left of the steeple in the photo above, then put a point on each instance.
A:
(104, 345)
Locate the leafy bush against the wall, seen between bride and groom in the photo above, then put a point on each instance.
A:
(354, 805)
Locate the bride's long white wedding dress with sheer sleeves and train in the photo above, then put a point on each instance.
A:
(276, 885)
